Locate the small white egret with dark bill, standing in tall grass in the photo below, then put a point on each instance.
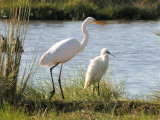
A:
(97, 69)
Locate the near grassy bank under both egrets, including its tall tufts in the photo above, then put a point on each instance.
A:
(79, 103)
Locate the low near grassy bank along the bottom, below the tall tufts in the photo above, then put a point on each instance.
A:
(42, 109)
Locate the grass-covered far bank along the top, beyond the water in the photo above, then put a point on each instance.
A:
(102, 9)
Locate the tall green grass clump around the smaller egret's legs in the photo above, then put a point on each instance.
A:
(109, 89)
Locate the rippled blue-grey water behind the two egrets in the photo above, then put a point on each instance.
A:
(134, 44)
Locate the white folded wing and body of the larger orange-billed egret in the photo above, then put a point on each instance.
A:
(60, 52)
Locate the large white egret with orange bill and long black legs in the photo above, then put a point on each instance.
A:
(65, 50)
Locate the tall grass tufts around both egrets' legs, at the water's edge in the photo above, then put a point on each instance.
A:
(73, 89)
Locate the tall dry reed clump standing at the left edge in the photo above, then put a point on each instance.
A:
(11, 52)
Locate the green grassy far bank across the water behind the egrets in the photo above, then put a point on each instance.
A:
(80, 10)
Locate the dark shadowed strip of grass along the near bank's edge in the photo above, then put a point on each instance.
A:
(114, 107)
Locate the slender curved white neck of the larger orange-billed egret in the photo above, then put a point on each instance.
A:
(86, 36)
